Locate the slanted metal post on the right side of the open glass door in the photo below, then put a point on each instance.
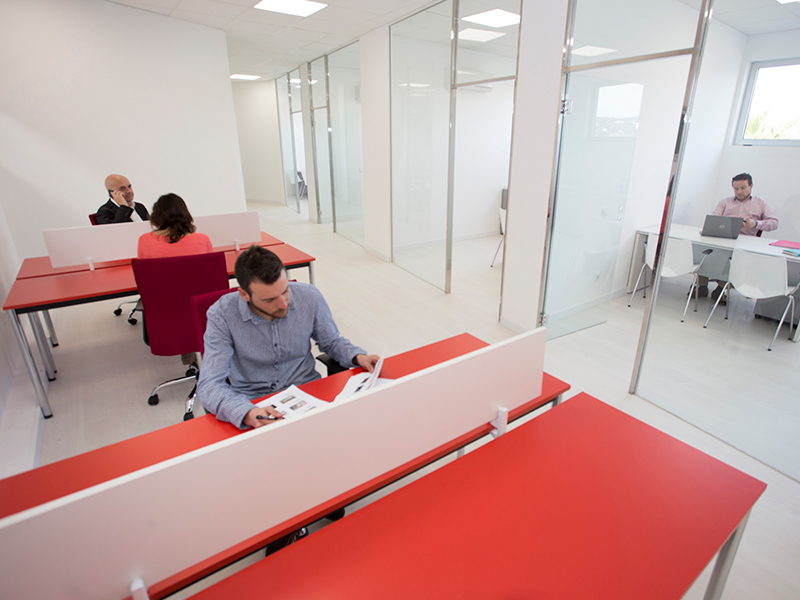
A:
(666, 221)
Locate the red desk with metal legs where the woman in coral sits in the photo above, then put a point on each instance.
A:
(40, 288)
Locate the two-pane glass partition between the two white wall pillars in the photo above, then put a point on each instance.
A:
(453, 75)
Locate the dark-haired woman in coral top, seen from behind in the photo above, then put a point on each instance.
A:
(174, 231)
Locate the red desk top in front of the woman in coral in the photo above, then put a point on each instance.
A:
(76, 287)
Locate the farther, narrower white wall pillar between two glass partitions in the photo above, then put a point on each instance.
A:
(376, 144)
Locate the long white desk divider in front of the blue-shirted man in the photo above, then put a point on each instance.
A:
(157, 521)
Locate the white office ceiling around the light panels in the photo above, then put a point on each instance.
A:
(270, 44)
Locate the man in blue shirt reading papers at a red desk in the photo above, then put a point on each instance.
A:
(259, 341)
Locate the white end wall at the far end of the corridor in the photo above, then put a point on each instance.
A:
(259, 140)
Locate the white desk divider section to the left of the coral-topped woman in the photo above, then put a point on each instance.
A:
(94, 243)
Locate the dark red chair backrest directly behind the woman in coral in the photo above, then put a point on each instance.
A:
(165, 286)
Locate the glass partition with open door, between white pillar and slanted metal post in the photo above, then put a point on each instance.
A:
(626, 72)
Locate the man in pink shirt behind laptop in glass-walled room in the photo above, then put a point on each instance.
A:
(757, 214)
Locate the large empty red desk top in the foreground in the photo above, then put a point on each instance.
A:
(582, 502)
